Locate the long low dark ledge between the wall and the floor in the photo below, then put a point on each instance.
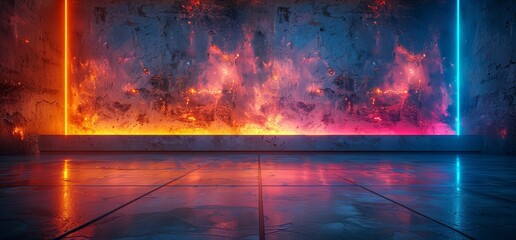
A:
(88, 143)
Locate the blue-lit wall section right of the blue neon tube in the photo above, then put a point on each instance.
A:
(489, 73)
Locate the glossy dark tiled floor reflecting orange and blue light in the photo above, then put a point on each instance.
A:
(258, 196)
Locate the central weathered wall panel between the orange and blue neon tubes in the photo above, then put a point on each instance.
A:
(262, 67)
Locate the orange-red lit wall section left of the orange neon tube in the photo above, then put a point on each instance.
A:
(30, 72)
